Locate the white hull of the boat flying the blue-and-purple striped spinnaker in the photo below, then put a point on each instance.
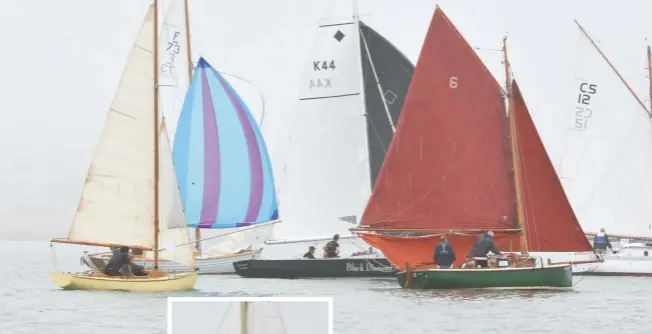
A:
(208, 265)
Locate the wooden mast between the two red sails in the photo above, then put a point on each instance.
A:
(514, 146)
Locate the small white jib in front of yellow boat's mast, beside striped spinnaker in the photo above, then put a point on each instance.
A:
(173, 233)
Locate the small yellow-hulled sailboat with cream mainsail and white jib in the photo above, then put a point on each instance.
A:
(130, 197)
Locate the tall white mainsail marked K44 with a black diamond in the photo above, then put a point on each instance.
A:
(327, 167)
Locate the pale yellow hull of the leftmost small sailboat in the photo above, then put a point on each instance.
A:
(167, 282)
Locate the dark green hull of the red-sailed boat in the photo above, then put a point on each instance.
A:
(550, 277)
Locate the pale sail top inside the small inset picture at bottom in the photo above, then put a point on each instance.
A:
(258, 317)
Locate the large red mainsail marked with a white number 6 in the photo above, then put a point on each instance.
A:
(449, 164)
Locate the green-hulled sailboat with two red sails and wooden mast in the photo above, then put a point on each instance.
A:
(459, 166)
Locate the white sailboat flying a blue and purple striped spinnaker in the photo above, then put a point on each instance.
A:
(206, 170)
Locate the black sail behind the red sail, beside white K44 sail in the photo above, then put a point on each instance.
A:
(394, 73)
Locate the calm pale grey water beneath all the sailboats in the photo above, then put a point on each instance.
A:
(29, 303)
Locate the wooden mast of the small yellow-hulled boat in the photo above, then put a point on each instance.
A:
(156, 139)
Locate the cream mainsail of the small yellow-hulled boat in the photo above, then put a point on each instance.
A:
(117, 201)
